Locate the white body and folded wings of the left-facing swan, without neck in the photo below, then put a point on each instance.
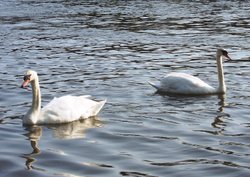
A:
(70, 108)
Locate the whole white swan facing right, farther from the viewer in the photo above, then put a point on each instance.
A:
(181, 83)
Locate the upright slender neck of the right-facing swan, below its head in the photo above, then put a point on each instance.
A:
(222, 85)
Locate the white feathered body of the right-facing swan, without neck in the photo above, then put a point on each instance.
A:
(182, 83)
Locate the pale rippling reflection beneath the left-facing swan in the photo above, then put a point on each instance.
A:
(72, 130)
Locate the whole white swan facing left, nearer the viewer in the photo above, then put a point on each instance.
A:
(60, 110)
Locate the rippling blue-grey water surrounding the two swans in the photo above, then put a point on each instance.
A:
(110, 49)
